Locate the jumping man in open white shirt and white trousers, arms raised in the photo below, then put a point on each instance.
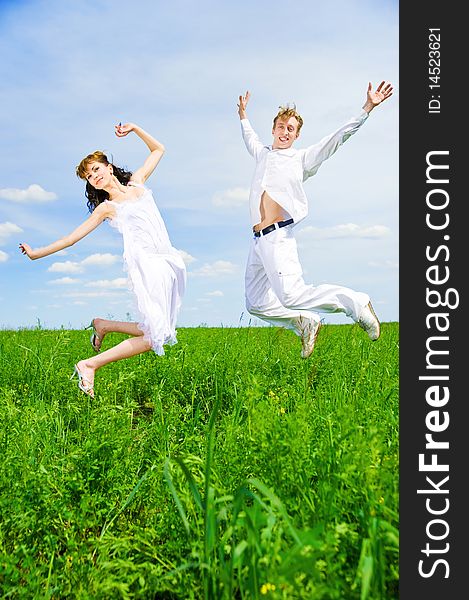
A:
(274, 286)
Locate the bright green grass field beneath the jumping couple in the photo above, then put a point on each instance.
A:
(229, 468)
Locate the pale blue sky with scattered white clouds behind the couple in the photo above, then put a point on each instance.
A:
(75, 69)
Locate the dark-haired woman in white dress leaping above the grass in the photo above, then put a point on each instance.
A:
(156, 271)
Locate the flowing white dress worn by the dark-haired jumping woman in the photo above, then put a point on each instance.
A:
(155, 269)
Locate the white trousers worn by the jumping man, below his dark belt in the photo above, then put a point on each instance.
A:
(275, 289)
